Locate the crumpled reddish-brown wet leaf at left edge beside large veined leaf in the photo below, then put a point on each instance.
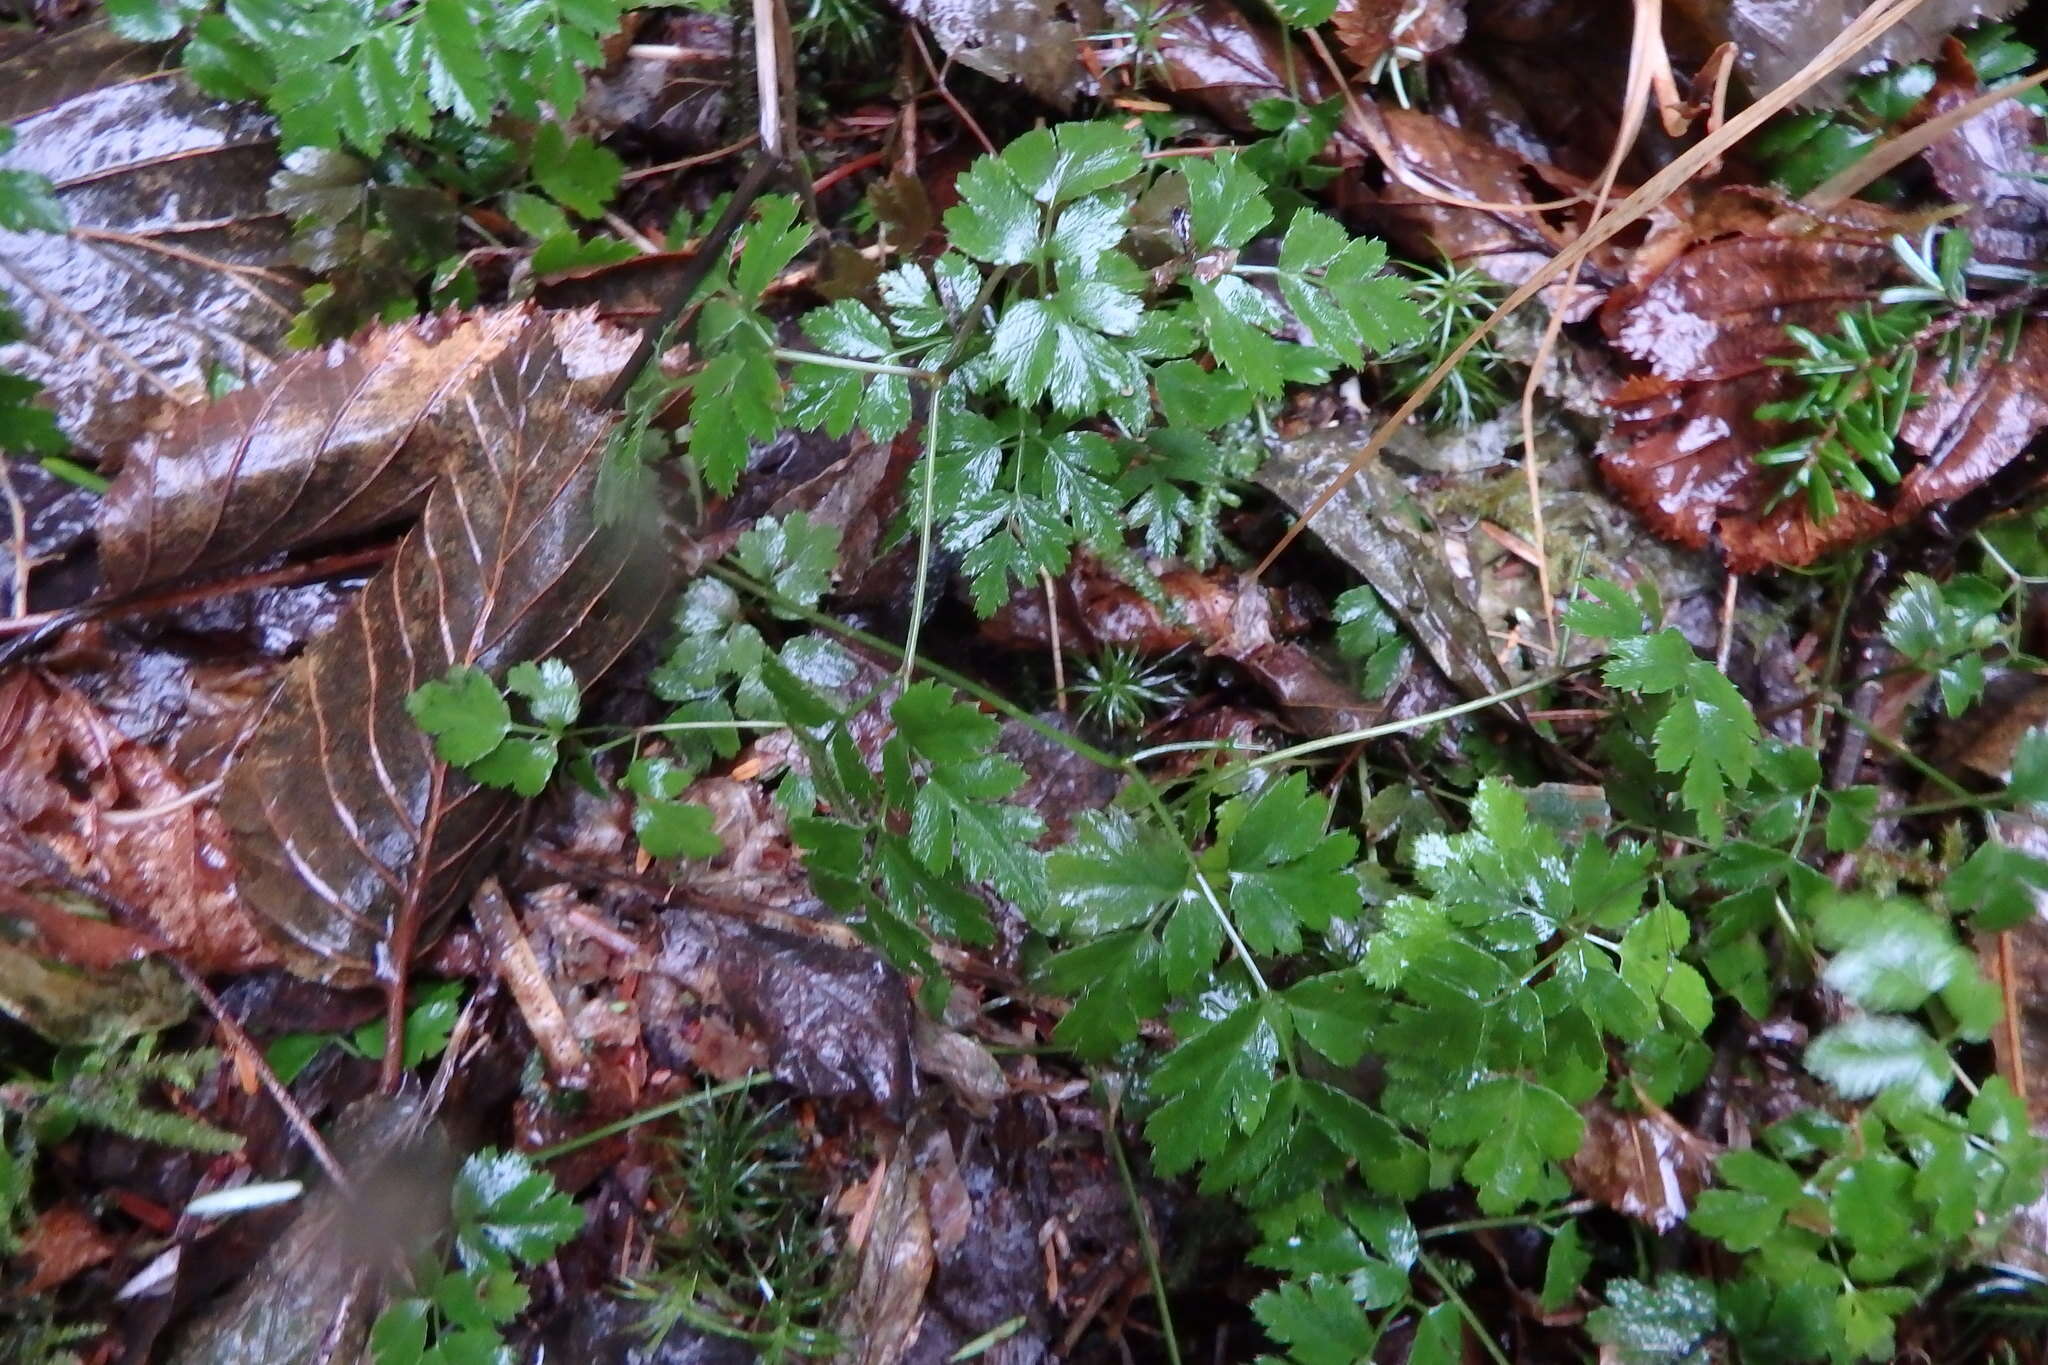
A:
(118, 818)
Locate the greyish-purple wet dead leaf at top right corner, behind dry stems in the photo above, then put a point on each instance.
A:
(1777, 38)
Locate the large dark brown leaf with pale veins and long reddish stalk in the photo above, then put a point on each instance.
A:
(357, 840)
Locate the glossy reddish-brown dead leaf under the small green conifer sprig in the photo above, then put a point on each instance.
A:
(1707, 310)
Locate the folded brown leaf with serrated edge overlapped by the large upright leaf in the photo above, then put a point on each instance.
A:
(339, 441)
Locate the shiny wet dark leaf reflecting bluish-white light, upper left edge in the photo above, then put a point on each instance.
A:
(173, 269)
